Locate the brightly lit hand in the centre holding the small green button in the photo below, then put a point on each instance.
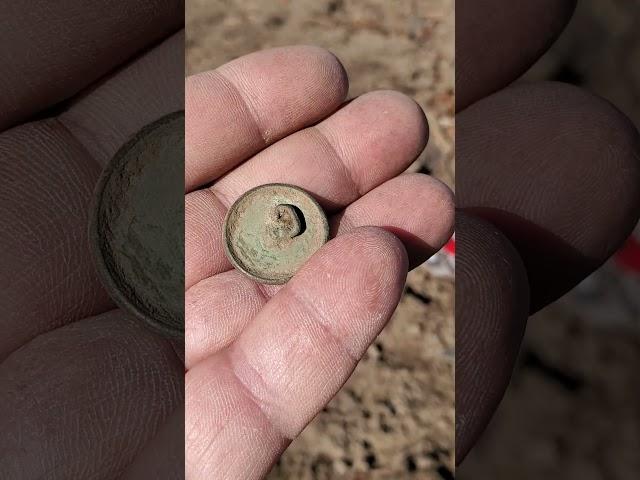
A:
(263, 361)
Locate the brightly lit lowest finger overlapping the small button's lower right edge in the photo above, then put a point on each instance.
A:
(259, 393)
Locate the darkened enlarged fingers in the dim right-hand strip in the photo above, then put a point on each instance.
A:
(548, 186)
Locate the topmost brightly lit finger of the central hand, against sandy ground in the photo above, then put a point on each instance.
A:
(233, 112)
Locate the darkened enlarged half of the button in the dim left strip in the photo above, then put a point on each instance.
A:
(137, 226)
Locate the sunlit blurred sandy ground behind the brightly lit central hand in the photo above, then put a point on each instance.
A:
(395, 417)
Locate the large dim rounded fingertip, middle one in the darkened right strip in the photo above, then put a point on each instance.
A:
(557, 170)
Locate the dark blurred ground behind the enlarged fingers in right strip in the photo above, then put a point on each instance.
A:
(573, 407)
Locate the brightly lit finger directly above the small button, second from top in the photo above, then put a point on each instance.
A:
(370, 140)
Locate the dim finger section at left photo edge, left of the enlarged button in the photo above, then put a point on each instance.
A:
(47, 180)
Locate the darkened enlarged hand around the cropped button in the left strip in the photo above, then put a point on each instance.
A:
(86, 392)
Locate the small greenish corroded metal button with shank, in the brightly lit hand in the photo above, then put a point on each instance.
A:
(272, 230)
